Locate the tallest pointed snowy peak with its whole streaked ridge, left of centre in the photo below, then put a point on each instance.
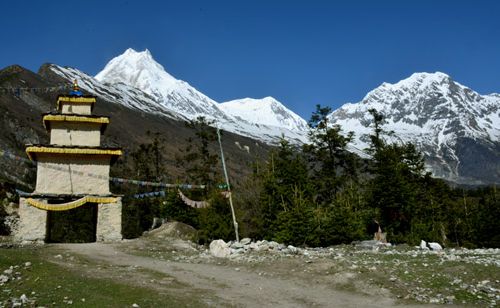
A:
(135, 80)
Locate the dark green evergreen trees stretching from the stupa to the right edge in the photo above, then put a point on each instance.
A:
(319, 194)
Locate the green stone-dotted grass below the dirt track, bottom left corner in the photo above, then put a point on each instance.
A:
(47, 284)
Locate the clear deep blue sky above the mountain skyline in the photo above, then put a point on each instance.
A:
(301, 52)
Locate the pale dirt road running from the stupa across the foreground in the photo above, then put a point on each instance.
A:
(235, 286)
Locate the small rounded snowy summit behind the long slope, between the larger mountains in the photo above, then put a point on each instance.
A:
(265, 111)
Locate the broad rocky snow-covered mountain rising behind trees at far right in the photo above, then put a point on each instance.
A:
(457, 129)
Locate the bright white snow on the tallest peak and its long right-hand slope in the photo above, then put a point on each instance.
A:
(140, 71)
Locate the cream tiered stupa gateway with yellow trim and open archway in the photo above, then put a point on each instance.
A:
(72, 171)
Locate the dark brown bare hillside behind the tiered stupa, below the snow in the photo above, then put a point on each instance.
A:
(21, 124)
